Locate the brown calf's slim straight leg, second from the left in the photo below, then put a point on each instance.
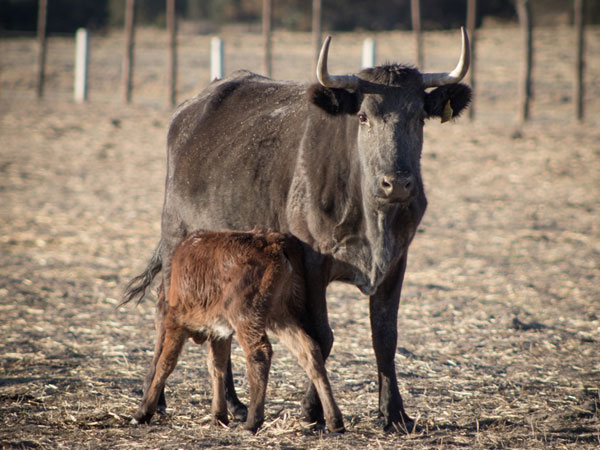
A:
(218, 355)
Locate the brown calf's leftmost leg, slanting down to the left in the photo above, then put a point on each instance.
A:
(173, 341)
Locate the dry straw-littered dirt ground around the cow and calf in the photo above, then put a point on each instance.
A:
(499, 327)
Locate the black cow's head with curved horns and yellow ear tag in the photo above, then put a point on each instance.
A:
(389, 105)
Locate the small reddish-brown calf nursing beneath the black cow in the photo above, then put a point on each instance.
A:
(245, 282)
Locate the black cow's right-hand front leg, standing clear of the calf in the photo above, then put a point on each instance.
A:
(384, 330)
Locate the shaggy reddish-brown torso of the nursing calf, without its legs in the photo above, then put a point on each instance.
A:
(219, 277)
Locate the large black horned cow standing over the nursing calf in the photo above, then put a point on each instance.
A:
(336, 163)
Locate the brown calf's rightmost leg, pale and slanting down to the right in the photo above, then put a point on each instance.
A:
(308, 353)
